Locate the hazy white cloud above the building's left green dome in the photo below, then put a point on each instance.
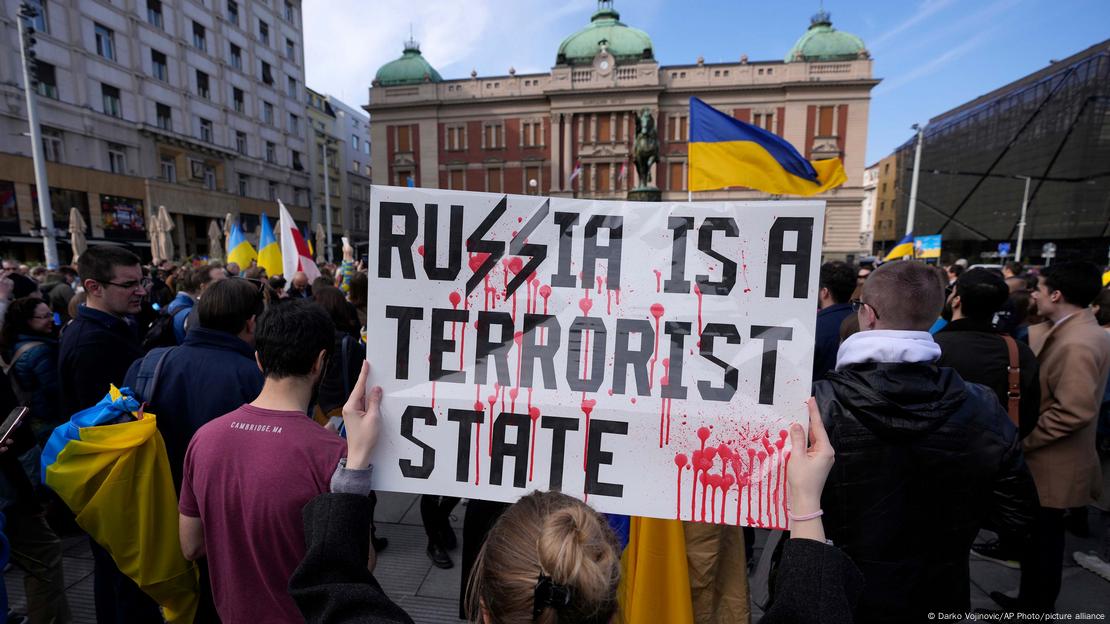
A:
(347, 42)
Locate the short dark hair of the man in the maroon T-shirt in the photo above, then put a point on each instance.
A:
(290, 337)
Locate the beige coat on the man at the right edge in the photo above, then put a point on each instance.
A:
(1075, 361)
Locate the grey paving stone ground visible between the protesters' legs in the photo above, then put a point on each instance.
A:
(431, 596)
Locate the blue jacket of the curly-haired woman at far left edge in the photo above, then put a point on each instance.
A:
(36, 373)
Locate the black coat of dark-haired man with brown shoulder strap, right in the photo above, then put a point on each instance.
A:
(980, 356)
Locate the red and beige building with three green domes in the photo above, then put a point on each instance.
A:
(570, 132)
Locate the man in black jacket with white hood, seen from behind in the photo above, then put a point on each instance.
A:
(923, 459)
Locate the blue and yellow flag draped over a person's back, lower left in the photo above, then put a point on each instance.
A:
(109, 465)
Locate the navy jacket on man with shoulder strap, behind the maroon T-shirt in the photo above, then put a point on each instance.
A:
(210, 375)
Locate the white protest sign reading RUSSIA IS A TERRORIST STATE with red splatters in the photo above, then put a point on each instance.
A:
(648, 358)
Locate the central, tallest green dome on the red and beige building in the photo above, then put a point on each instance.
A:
(624, 43)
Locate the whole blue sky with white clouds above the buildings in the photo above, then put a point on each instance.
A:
(932, 55)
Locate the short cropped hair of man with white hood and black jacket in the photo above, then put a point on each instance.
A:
(905, 295)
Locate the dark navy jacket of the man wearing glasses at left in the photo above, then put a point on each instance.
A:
(97, 349)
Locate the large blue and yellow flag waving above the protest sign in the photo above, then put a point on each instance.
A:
(729, 153)
